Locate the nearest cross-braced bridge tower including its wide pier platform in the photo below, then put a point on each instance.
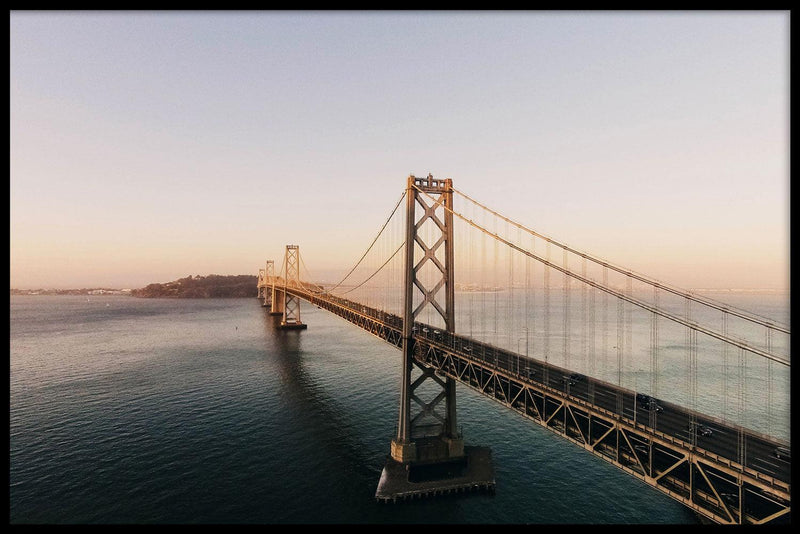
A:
(428, 453)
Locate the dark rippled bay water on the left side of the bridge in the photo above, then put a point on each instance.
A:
(126, 410)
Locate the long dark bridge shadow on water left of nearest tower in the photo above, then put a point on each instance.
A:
(333, 450)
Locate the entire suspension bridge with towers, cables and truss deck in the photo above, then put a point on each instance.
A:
(688, 394)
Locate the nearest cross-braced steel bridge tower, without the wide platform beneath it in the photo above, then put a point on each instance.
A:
(428, 435)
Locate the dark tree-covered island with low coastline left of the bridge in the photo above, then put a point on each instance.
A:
(211, 286)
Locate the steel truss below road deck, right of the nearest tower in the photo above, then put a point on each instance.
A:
(714, 490)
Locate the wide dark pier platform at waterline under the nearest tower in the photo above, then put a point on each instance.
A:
(472, 472)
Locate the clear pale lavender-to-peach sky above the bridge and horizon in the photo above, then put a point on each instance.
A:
(148, 146)
